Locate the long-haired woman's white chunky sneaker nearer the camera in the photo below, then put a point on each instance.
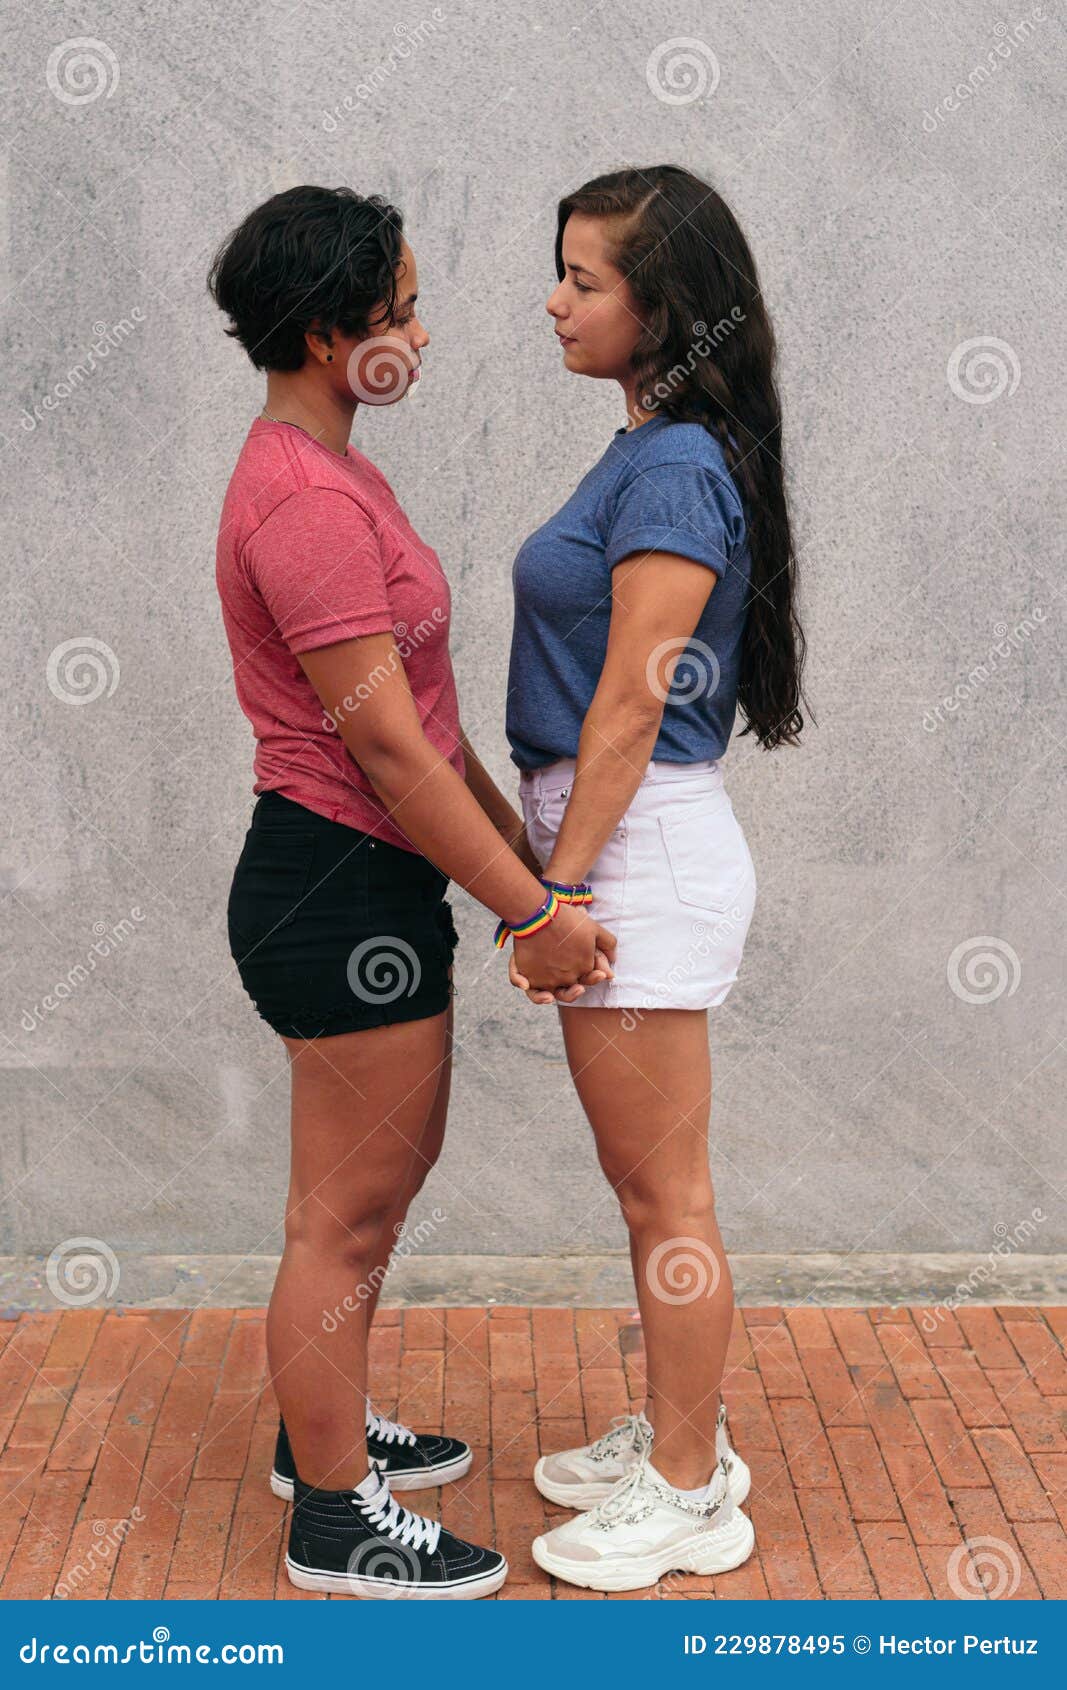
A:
(645, 1530)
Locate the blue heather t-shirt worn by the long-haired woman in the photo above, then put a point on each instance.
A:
(659, 488)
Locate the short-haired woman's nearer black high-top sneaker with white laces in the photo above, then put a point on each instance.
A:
(364, 1544)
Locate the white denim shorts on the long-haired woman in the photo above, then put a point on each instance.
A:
(674, 883)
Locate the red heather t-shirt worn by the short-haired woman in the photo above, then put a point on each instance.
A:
(312, 550)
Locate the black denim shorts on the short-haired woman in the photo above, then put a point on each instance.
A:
(334, 930)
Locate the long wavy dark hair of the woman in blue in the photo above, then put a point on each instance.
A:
(694, 280)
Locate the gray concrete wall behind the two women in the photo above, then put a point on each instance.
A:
(890, 1067)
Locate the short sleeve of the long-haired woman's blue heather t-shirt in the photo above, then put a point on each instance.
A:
(681, 508)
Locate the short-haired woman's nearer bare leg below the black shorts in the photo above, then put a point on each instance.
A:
(361, 1108)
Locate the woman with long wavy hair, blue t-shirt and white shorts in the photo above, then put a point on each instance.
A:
(652, 608)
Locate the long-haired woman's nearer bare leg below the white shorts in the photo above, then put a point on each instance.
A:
(647, 1093)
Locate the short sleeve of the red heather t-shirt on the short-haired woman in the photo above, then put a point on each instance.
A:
(317, 564)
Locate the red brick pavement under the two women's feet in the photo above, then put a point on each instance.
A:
(892, 1456)
